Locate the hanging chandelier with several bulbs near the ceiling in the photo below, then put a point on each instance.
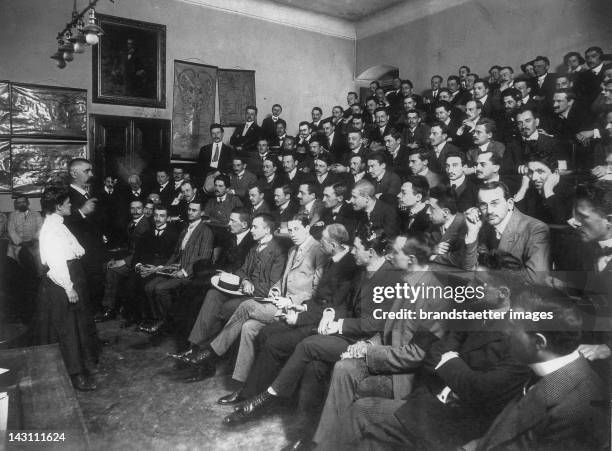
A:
(76, 35)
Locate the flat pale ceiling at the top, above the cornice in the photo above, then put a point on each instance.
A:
(352, 10)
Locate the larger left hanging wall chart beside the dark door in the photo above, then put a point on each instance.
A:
(193, 108)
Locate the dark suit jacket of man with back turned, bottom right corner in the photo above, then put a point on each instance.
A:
(566, 409)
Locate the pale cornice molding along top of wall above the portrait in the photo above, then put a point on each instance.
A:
(282, 15)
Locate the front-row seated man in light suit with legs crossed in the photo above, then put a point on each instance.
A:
(300, 279)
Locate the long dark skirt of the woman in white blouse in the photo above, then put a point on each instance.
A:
(70, 325)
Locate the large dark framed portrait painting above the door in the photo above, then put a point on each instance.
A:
(129, 63)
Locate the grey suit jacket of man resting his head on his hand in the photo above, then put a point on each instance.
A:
(524, 237)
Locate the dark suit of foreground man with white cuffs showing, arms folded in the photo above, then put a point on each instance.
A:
(483, 379)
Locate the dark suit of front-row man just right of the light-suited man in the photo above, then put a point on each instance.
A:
(278, 340)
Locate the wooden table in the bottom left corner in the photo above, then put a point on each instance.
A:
(47, 402)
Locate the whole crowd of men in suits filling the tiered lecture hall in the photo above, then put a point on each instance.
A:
(498, 181)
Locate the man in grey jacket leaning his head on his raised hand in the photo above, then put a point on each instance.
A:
(497, 224)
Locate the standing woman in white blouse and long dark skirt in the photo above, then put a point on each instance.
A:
(63, 316)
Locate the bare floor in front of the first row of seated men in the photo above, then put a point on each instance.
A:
(138, 406)
